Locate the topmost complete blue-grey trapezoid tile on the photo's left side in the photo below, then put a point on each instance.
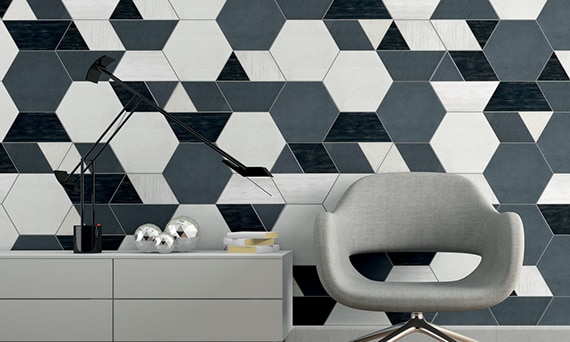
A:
(144, 34)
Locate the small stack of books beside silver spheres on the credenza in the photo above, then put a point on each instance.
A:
(251, 242)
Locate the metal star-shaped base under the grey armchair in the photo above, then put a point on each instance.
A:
(416, 323)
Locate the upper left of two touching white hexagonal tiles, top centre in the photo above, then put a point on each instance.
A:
(304, 50)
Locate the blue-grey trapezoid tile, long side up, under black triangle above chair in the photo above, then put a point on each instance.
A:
(411, 65)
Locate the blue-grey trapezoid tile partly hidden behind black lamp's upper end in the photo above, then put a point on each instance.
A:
(77, 63)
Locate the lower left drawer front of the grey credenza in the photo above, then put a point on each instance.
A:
(56, 320)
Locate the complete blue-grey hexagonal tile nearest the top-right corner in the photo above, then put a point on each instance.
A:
(517, 50)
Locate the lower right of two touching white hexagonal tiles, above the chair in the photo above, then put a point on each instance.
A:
(358, 81)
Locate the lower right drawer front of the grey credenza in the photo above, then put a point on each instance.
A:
(199, 320)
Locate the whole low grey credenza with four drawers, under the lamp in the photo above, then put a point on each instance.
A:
(196, 296)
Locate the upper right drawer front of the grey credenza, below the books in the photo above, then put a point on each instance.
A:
(199, 278)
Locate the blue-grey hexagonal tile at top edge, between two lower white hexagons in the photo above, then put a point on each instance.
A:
(250, 24)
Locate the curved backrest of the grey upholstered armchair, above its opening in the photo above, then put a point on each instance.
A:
(426, 212)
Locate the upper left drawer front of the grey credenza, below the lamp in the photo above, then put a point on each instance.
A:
(56, 278)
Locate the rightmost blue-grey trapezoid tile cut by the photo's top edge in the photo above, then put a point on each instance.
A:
(464, 9)
